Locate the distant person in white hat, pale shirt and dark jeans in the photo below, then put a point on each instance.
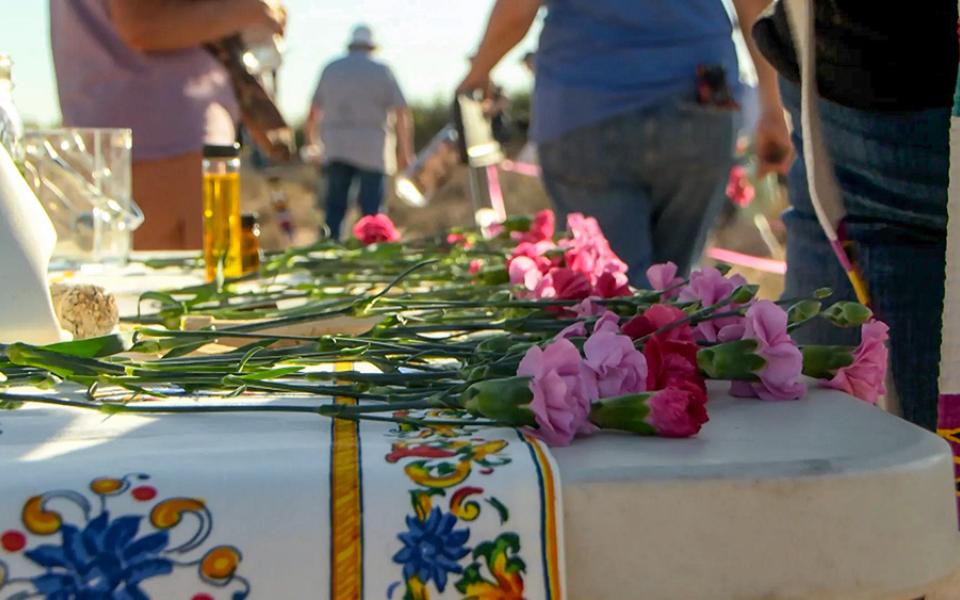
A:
(356, 104)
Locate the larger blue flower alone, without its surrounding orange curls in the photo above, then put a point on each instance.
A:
(104, 560)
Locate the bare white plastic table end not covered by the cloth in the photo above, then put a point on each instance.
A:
(825, 497)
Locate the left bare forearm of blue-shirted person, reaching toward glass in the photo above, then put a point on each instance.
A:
(509, 22)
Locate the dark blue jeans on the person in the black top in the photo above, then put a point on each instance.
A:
(892, 169)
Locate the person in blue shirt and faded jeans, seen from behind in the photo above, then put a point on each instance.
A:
(626, 131)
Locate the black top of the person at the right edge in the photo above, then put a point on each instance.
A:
(880, 55)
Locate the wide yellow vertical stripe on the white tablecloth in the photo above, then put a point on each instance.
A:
(346, 536)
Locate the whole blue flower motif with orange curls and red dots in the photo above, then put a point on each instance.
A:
(112, 558)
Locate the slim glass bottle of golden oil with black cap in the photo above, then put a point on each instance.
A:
(222, 249)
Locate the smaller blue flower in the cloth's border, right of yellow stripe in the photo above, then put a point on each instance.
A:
(432, 548)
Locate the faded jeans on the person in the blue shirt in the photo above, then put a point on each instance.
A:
(653, 178)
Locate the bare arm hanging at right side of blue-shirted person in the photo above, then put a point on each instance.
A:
(772, 137)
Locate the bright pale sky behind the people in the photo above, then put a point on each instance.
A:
(425, 41)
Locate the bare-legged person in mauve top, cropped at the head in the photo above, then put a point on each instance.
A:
(140, 64)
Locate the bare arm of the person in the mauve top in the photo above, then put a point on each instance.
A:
(159, 25)
